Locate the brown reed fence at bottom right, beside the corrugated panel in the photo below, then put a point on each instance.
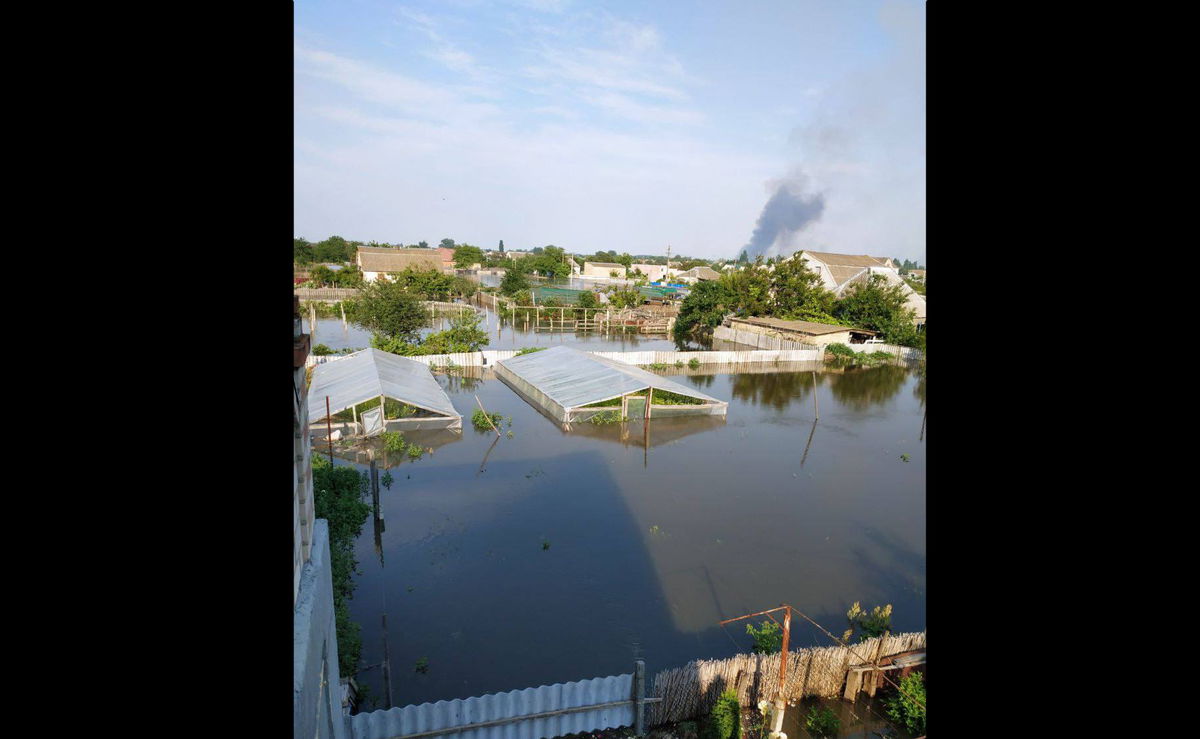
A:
(692, 690)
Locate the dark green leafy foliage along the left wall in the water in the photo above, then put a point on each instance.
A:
(339, 497)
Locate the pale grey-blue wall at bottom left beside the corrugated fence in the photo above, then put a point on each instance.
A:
(316, 684)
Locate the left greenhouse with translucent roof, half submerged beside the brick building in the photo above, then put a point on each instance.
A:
(368, 378)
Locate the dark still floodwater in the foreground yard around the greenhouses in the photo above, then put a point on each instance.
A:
(563, 556)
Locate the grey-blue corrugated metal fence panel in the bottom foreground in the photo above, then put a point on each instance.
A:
(411, 720)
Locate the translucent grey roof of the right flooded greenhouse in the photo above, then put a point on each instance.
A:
(573, 378)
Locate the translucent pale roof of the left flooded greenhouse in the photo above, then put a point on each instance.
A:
(370, 374)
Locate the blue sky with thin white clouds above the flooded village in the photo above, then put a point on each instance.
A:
(625, 127)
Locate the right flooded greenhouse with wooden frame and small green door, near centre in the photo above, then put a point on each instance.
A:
(571, 386)
